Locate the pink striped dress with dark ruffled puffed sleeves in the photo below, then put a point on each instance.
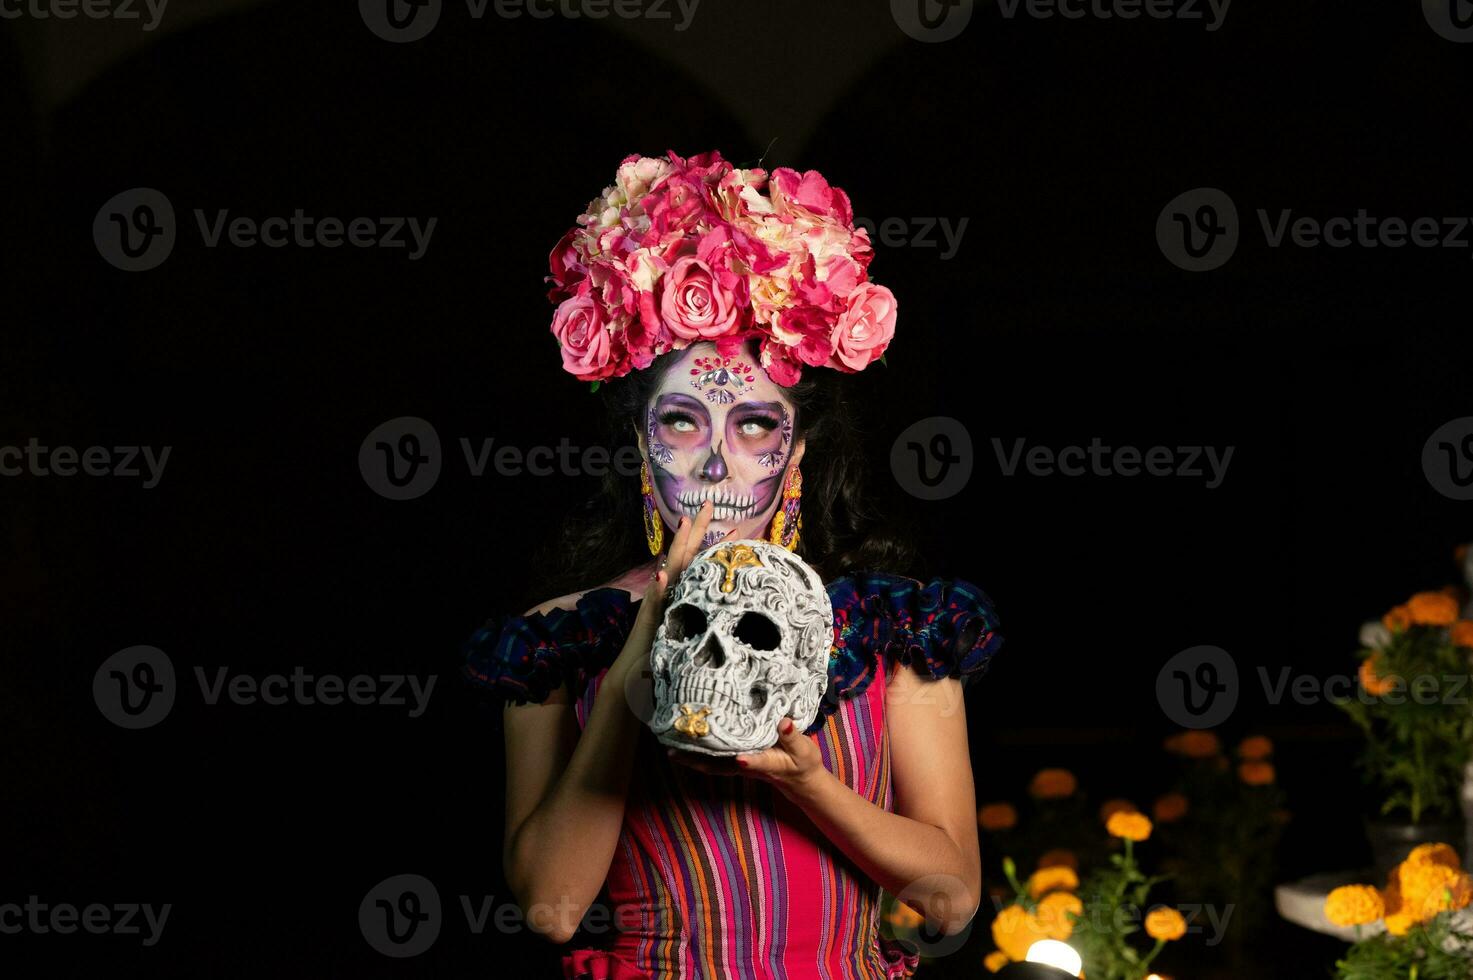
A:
(723, 878)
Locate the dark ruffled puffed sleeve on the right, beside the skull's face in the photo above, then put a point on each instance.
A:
(941, 630)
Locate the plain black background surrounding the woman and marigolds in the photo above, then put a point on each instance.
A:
(1058, 321)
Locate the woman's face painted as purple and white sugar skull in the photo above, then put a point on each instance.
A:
(720, 430)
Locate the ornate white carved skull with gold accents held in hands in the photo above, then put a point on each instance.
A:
(745, 642)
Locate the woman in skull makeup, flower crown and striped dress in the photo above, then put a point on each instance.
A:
(702, 294)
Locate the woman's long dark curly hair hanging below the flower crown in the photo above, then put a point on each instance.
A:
(842, 525)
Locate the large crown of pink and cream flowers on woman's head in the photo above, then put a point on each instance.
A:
(681, 251)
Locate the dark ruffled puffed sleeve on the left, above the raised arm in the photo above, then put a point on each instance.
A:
(527, 658)
